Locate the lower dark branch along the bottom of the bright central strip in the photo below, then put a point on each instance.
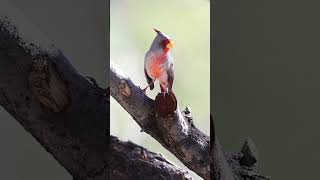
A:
(131, 161)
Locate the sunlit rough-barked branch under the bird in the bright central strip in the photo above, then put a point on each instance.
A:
(176, 133)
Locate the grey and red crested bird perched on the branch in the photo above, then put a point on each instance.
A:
(158, 63)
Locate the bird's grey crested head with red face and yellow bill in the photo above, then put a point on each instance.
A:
(162, 41)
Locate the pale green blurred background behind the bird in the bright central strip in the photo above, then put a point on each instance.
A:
(187, 22)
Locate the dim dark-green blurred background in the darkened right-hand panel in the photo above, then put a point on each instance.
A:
(266, 82)
